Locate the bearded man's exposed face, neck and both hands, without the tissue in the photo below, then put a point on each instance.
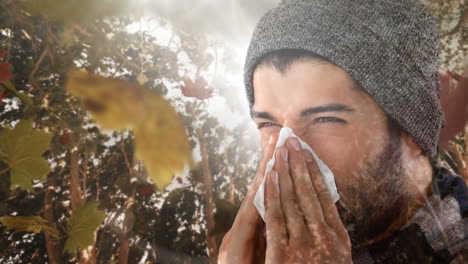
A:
(382, 177)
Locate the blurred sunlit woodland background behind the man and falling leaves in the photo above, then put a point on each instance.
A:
(189, 52)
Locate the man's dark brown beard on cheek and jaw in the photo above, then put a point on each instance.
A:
(368, 208)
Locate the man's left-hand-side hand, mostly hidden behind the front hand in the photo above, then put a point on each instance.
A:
(245, 241)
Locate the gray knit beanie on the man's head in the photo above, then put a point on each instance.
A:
(390, 47)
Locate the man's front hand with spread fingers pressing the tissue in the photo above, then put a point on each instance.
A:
(302, 222)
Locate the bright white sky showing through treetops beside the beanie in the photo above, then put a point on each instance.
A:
(228, 22)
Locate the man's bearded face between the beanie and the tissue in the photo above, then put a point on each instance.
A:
(348, 131)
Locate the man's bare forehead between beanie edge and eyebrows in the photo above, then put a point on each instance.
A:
(302, 84)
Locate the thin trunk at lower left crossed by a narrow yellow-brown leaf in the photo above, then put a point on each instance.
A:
(54, 248)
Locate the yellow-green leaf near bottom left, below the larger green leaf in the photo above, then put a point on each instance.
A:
(81, 225)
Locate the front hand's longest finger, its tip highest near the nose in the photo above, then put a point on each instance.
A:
(303, 187)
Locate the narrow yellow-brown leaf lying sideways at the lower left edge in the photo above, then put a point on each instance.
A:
(33, 224)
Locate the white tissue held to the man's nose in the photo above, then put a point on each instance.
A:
(326, 173)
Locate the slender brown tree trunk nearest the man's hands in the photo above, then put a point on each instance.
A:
(209, 206)
